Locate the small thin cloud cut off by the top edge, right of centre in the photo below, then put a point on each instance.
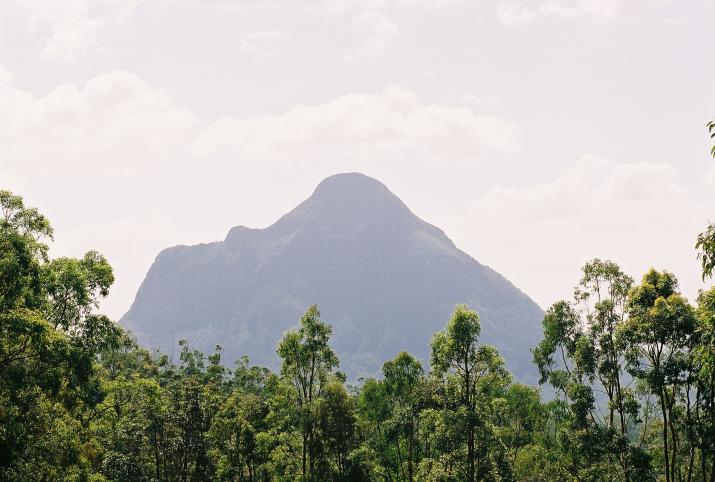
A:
(515, 12)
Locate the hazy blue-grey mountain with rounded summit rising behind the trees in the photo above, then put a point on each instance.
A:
(384, 279)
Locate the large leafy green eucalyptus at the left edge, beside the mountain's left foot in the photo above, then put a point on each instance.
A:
(49, 336)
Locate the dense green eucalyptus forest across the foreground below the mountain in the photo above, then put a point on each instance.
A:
(630, 371)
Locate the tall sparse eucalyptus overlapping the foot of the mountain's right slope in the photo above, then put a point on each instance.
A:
(582, 355)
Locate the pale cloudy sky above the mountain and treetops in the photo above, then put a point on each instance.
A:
(538, 134)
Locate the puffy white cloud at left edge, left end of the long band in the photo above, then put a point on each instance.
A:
(110, 127)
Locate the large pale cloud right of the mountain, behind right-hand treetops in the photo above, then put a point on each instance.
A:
(635, 213)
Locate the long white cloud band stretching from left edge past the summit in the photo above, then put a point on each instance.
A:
(118, 126)
